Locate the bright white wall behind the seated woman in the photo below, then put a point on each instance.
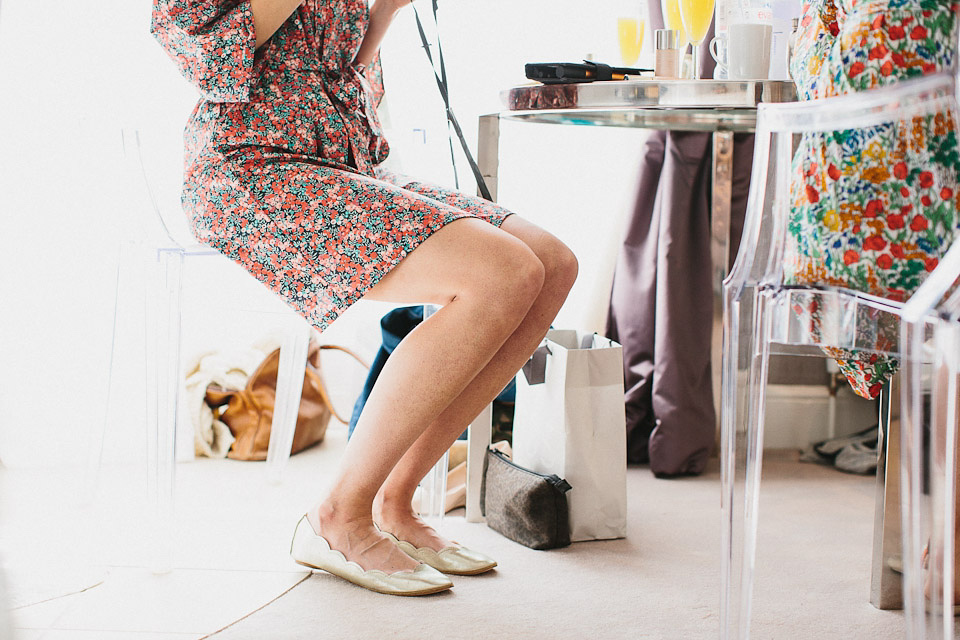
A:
(74, 72)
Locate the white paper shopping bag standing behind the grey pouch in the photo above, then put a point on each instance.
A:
(569, 421)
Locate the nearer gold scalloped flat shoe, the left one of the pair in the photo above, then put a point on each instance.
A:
(312, 550)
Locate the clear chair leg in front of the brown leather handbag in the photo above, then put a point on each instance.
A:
(290, 376)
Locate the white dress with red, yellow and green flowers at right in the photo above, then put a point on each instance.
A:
(873, 209)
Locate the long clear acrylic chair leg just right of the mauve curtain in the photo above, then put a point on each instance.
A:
(743, 385)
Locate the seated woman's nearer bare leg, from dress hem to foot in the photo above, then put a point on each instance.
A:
(486, 280)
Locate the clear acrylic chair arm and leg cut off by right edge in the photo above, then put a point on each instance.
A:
(930, 335)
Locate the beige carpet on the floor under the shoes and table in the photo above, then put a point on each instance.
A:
(813, 574)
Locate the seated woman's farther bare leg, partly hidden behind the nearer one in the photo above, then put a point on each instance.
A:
(392, 508)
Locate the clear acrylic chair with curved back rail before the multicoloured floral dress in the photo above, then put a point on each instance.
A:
(763, 316)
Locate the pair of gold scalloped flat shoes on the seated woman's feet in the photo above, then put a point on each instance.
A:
(312, 550)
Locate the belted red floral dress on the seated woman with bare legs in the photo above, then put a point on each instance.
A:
(282, 152)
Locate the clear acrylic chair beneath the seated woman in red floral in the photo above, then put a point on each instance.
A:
(160, 258)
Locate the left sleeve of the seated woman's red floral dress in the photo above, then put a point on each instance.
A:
(213, 43)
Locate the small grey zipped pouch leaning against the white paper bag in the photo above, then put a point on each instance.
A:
(524, 506)
